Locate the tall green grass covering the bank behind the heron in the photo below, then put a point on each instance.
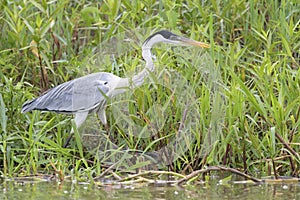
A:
(235, 104)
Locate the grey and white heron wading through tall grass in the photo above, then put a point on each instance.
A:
(90, 93)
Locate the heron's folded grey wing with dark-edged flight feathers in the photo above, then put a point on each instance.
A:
(79, 95)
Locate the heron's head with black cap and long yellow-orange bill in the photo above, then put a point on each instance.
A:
(171, 38)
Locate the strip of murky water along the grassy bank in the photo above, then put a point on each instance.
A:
(215, 190)
